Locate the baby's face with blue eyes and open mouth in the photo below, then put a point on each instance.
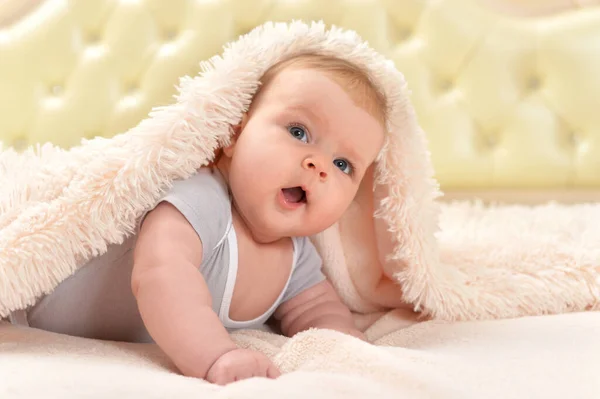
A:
(301, 155)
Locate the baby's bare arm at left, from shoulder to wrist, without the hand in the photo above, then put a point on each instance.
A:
(172, 296)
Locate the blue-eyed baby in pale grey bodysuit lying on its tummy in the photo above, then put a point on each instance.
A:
(228, 248)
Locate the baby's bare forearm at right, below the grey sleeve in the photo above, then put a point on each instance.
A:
(318, 307)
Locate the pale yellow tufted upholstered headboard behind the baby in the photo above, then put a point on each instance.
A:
(506, 100)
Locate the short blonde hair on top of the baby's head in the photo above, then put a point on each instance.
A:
(351, 78)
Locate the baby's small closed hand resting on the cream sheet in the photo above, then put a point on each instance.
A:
(240, 364)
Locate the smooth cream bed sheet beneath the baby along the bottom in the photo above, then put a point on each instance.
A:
(550, 357)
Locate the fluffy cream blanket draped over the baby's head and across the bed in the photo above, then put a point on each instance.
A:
(59, 207)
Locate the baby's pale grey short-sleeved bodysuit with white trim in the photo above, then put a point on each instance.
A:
(97, 302)
